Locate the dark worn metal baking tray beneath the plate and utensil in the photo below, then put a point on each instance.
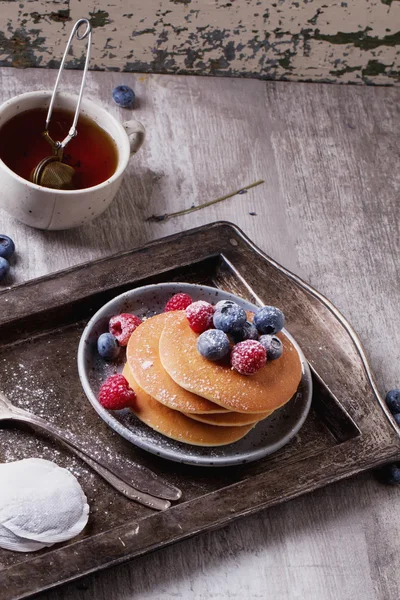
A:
(347, 431)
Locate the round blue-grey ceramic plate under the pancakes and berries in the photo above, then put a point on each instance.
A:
(265, 438)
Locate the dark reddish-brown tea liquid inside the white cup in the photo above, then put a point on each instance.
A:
(92, 153)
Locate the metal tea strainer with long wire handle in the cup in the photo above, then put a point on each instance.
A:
(51, 171)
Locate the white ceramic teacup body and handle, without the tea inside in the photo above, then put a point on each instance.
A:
(45, 208)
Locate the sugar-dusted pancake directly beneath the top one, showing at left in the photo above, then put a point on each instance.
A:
(143, 357)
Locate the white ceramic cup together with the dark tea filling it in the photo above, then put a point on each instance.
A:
(99, 155)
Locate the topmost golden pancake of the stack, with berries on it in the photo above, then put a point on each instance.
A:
(271, 387)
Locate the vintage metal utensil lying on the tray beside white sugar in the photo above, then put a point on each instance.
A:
(132, 480)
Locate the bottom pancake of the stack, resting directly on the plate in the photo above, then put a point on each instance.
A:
(177, 426)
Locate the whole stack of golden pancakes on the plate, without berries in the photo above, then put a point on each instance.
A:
(193, 400)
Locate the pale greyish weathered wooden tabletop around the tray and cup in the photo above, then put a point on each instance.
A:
(329, 211)
